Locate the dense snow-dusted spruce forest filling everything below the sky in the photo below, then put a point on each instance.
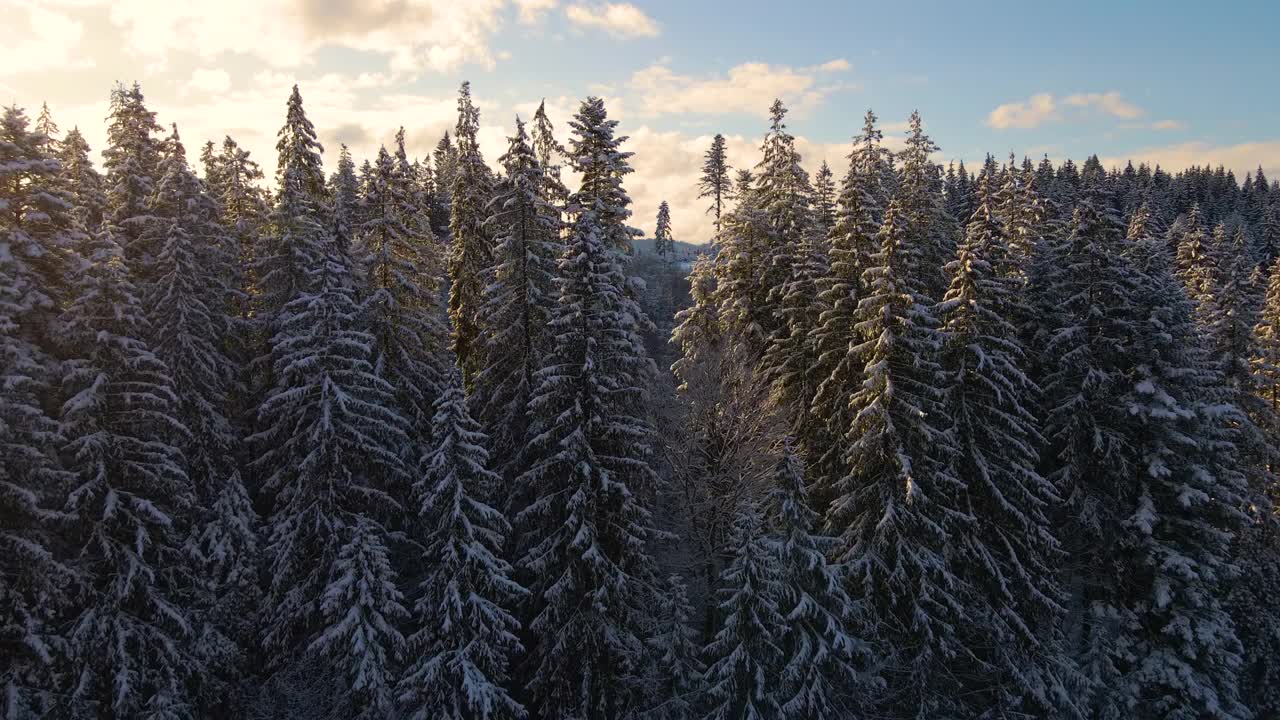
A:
(429, 438)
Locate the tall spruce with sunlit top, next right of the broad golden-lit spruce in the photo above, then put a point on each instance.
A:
(1005, 548)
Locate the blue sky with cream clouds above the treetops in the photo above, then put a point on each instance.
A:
(1173, 83)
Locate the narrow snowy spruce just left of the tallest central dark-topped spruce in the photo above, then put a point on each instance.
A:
(520, 302)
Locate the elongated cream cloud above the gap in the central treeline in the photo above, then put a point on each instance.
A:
(749, 88)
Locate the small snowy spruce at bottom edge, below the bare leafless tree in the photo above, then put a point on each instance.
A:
(744, 659)
